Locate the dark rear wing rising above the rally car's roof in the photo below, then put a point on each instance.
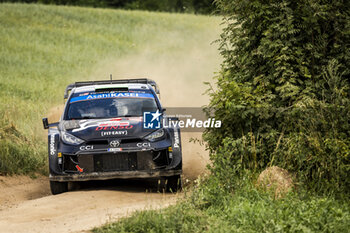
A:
(119, 81)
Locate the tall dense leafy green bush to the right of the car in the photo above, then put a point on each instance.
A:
(283, 92)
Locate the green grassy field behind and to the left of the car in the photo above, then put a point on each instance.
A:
(44, 48)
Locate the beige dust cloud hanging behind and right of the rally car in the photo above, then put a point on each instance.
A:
(180, 76)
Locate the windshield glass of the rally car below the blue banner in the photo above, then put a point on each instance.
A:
(110, 108)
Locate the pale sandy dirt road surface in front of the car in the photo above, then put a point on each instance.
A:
(80, 210)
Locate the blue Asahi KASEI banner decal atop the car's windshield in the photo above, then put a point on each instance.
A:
(111, 95)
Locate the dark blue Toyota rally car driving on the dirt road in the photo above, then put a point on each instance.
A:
(113, 129)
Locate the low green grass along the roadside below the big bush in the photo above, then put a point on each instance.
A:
(245, 211)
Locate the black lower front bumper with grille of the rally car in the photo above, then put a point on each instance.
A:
(122, 165)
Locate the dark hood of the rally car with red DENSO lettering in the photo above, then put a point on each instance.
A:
(127, 127)
